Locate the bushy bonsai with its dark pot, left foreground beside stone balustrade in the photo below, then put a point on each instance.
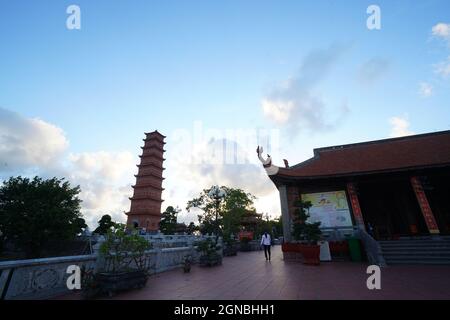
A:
(124, 254)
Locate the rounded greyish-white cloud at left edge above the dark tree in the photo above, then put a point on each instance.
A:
(28, 142)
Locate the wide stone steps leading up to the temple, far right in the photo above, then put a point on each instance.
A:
(421, 250)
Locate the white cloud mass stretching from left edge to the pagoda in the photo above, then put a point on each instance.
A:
(31, 146)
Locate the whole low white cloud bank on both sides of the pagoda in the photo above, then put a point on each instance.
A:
(34, 147)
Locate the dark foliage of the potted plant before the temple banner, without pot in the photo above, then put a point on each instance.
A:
(303, 230)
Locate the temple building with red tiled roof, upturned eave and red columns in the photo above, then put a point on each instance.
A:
(394, 188)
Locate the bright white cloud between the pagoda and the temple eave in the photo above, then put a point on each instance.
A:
(188, 178)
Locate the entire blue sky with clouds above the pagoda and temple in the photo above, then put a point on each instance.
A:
(217, 78)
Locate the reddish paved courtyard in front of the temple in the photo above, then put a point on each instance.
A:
(249, 276)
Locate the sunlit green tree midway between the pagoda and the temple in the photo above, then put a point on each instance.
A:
(230, 210)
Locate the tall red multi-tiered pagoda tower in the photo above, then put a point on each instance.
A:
(145, 211)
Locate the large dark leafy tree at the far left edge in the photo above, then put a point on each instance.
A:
(35, 212)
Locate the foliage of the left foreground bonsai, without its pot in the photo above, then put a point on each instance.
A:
(122, 248)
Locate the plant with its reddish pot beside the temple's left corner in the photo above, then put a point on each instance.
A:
(305, 234)
